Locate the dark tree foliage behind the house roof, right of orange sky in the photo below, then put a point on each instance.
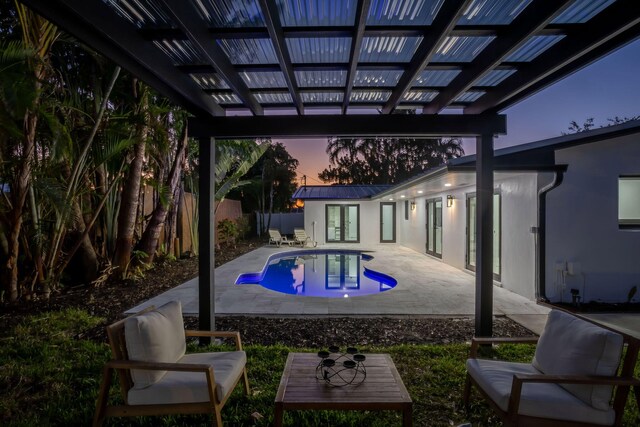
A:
(385, 160)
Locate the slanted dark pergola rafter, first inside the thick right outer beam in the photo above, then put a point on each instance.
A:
(528, 23)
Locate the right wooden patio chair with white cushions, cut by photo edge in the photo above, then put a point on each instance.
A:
(569, 382)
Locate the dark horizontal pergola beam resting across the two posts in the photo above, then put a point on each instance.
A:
(348, 125)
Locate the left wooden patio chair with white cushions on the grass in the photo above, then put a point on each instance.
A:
(158, 378)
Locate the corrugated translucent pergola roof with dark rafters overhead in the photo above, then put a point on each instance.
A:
(478, 55)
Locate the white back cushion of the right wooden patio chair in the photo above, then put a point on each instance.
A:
(572, 346)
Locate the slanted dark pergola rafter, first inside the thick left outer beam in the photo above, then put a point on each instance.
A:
(193, 26)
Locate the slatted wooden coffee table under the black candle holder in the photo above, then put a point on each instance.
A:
(383, 388)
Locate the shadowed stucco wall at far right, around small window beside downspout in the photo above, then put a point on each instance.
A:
(582, 223)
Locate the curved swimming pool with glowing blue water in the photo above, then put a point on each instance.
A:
(320, 273)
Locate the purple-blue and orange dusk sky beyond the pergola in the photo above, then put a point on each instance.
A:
(605, 89)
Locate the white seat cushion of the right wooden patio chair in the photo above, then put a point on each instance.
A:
(537, 400)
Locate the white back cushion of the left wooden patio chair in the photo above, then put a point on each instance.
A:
(155, 336)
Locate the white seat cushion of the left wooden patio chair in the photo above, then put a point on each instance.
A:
(191, 387)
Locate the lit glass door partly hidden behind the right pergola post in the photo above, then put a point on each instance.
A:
(471, 234)
